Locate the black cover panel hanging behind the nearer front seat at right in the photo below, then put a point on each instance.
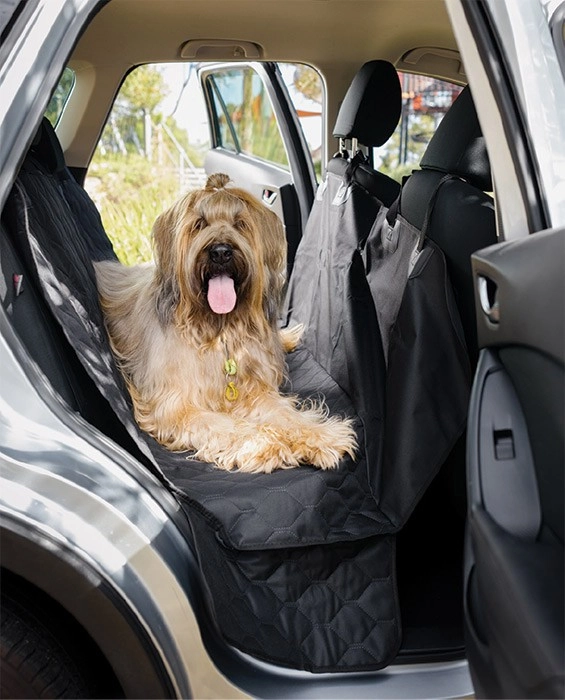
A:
(428, 375)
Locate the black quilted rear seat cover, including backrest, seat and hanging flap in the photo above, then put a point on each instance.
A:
(296, 554)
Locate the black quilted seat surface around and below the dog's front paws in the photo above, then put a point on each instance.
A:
(298, 506)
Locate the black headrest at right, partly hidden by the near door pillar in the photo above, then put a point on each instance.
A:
(458, 146)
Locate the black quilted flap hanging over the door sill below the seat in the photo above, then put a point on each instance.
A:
(314, 608)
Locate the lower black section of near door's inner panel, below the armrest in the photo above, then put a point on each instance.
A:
(520, 585)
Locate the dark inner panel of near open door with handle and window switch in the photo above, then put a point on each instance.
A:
(515, 565)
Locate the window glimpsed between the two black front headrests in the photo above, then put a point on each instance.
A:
(424, 102)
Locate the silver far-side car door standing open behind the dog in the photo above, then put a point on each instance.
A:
(257, 140)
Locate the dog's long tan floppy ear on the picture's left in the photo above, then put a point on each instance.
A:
(164, 252)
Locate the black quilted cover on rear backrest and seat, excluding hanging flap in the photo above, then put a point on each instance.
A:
(299, 506)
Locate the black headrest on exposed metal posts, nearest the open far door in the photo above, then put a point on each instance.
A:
(371, 107)
